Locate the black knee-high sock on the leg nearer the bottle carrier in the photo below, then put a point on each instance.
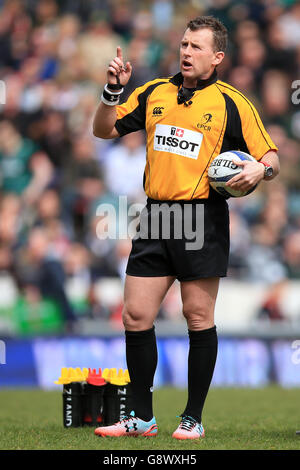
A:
(141, 355)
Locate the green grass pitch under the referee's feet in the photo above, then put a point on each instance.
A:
(233, 419)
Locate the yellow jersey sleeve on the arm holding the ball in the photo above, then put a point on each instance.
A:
(255, 135)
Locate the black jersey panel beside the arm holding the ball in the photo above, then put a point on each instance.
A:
(233, 137)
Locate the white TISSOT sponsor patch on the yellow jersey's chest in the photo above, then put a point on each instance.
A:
(177, 140)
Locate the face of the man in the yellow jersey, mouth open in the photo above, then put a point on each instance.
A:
(197, 56)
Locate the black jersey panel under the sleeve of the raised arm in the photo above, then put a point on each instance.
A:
(135, 120)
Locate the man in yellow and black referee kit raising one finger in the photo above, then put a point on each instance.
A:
(189, 119)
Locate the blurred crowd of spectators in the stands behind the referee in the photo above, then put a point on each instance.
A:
(54, 173)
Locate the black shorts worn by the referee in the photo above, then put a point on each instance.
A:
(168, 251)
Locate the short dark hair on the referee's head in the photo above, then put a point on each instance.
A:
(220, 33)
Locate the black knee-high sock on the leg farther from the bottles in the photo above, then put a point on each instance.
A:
(201, 364)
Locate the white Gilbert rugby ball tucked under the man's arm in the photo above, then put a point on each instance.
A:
(222, 169)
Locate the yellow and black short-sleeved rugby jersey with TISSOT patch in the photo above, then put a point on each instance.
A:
(183, 140)
